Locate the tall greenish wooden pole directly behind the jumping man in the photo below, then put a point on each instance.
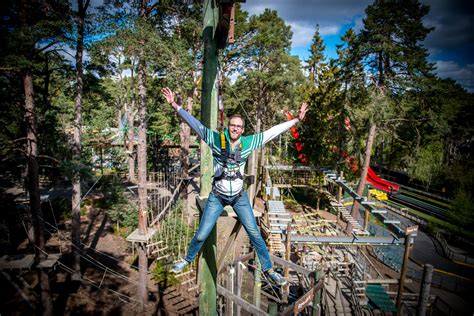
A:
(207, 273)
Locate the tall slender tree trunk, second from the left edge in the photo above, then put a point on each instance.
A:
(76, 146)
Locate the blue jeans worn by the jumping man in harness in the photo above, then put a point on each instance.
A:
(244, 212)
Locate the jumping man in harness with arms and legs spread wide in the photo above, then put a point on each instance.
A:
(230, 151)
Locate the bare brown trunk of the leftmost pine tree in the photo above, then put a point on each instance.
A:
(33, 190)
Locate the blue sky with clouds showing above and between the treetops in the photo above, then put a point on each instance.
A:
(450, 45)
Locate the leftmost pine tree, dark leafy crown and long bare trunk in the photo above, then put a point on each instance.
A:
(32, 29)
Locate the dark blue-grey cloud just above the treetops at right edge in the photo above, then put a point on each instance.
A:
(464, 75)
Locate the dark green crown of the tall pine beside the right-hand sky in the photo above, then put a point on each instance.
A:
(390, 42)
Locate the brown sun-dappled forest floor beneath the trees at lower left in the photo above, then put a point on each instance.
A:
(108, 268)
